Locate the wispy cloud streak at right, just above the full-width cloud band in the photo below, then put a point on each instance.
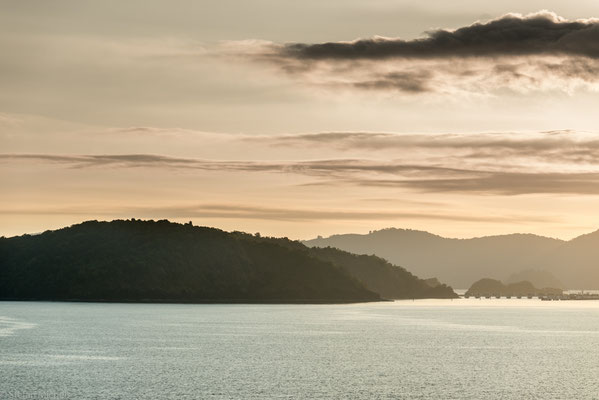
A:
(546, 147)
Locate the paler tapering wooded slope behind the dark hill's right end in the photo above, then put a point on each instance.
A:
(390, 281)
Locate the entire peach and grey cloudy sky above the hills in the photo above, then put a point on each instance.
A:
(299, 119)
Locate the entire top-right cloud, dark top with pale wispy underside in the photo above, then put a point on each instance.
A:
(518, 52)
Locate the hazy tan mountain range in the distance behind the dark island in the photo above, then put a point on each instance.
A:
(544, 261)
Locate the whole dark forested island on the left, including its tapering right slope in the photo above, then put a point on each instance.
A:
(135, 260)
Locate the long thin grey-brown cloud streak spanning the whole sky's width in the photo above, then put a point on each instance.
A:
(492, 179)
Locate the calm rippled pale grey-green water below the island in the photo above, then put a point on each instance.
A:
(439, 349)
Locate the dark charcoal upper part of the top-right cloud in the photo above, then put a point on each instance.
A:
(542, 33)
